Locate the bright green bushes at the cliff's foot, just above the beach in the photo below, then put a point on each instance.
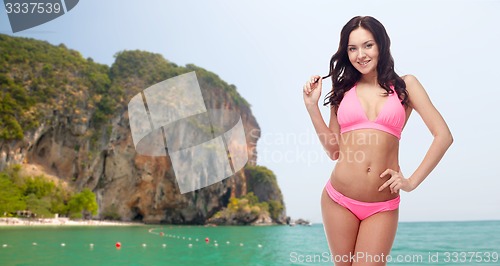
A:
(42, 197)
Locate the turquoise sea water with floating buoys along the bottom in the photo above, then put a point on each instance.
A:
(433, 243)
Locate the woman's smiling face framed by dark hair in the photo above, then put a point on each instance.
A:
(363, 51)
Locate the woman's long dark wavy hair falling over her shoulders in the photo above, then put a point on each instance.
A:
(343, 73)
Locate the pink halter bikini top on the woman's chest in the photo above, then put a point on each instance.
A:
(351, 115)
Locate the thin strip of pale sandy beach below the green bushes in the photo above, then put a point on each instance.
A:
(4, 221)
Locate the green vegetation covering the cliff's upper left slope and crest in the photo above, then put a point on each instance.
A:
(39, 80)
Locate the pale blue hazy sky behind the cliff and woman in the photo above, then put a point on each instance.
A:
(268, 49)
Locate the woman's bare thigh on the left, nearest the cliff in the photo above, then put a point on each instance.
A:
(341, 228)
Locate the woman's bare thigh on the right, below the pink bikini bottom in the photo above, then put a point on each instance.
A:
(375, 238)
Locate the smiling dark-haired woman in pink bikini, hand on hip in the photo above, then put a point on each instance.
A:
(370, 105)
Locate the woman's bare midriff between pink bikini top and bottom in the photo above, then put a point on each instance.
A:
(364, 154)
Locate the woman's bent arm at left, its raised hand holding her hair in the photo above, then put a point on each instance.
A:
(328, 135)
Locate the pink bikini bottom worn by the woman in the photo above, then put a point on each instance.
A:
(361, 209)
